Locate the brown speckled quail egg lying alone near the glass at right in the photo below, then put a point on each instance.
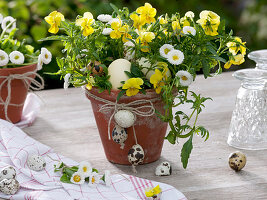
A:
(237, 160)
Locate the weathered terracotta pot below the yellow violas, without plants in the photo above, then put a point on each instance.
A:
(150, 131)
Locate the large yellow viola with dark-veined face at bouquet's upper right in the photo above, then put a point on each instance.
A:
(210, 22)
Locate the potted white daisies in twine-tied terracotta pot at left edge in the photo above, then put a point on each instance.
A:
(19, 63)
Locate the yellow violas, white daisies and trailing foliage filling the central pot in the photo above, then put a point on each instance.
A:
(166, 52)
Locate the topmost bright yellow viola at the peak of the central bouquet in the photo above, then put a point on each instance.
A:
(147, 12)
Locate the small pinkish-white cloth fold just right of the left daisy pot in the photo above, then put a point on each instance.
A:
(31, 108)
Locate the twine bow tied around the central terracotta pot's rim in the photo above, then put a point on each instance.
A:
(136, 107)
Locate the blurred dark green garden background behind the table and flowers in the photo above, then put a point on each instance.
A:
(247, 18)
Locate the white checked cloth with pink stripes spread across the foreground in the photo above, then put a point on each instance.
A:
(16, 147)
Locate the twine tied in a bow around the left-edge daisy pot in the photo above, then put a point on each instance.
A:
(28, 81)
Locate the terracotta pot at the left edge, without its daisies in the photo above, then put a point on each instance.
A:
(18, 92)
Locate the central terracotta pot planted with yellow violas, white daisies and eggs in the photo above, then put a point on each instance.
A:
(136, 67)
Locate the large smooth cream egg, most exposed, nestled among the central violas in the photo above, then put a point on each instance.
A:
(116, 71)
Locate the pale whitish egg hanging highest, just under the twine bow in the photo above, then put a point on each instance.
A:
(124, 118)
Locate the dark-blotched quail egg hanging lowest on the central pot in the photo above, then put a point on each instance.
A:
(136, 155)
